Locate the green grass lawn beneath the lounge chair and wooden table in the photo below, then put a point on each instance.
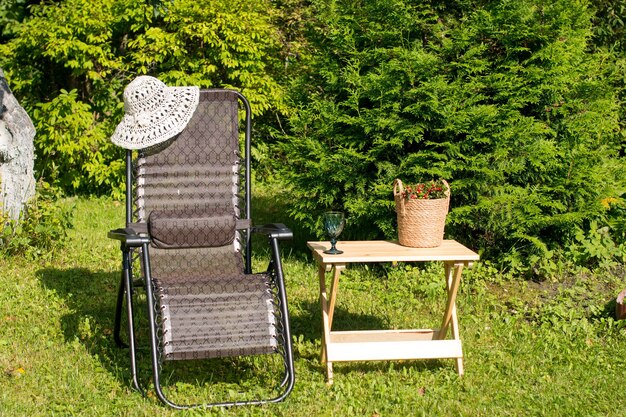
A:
(530, 348)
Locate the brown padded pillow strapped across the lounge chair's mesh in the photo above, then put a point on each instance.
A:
(171, 229)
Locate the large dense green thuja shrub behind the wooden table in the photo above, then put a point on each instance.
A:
(503, 99)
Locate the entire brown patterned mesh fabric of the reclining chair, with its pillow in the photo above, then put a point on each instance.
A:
(187, 192)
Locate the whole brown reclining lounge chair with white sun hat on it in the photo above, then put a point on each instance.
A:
(188, 237)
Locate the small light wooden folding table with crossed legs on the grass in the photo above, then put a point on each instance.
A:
(368, 345)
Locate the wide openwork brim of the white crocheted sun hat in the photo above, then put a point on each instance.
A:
(160, 124)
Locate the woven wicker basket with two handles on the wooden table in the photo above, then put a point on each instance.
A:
(421, 222)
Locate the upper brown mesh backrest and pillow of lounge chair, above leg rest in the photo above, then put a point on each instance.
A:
(190, 185)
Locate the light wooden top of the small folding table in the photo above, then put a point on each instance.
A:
(390, 251)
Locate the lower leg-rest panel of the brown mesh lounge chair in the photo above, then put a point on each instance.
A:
(217, 317)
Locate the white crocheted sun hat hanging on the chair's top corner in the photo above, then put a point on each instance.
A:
(154, 112)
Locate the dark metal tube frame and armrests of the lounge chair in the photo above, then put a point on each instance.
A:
(134, 237)
